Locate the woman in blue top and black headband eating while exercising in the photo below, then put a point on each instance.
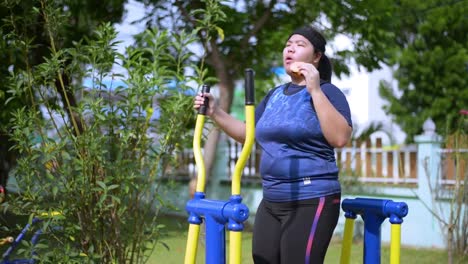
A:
(298, 125)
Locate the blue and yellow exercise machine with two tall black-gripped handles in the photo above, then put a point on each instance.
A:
(217, 214)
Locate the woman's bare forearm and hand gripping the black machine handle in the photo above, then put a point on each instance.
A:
(231, 126)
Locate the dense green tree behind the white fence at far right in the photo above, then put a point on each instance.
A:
(431, 66)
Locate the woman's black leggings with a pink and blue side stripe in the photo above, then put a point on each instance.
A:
(295, 232)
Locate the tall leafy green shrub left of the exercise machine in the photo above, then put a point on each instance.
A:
(99, 162)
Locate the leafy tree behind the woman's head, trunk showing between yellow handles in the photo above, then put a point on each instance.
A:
(252, 34)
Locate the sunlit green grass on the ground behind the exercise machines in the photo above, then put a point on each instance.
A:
(171, 249)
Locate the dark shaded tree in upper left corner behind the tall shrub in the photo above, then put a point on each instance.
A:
(22, 18)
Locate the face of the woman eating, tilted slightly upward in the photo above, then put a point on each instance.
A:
(298, 48)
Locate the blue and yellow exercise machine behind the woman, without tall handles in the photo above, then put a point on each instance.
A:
(373, 212)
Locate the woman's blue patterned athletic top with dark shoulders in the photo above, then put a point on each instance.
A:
(297, 162)
